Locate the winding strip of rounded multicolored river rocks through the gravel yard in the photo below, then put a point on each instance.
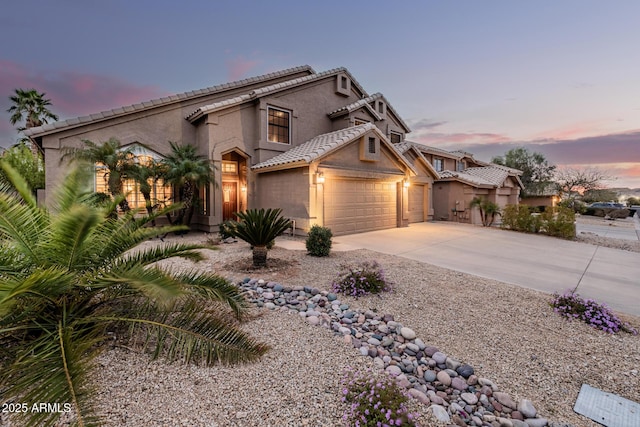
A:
(450, 388)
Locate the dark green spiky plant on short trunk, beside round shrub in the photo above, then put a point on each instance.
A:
(259, 227)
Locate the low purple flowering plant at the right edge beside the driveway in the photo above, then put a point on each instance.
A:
(599, 316)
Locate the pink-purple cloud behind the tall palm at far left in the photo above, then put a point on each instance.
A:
(73, 93)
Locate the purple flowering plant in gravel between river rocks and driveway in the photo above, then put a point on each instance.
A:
(363, 279)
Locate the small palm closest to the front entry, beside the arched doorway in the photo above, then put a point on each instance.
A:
(187, 171)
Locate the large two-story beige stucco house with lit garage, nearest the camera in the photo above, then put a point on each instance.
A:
(316, 145)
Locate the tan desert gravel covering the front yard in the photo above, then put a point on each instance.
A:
(510, 335)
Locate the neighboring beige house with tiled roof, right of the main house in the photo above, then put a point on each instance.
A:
(462, 178)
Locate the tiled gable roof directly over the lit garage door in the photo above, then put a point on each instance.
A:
(323, 145)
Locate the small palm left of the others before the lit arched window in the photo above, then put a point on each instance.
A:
(118, 162)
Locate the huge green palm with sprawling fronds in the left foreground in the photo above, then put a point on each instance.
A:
(68, 278)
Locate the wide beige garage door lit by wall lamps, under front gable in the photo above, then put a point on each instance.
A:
(354, 206)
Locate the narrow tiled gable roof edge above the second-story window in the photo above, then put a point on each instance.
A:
(268, 90)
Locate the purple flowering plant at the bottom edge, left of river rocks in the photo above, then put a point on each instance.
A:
(375, 401)
